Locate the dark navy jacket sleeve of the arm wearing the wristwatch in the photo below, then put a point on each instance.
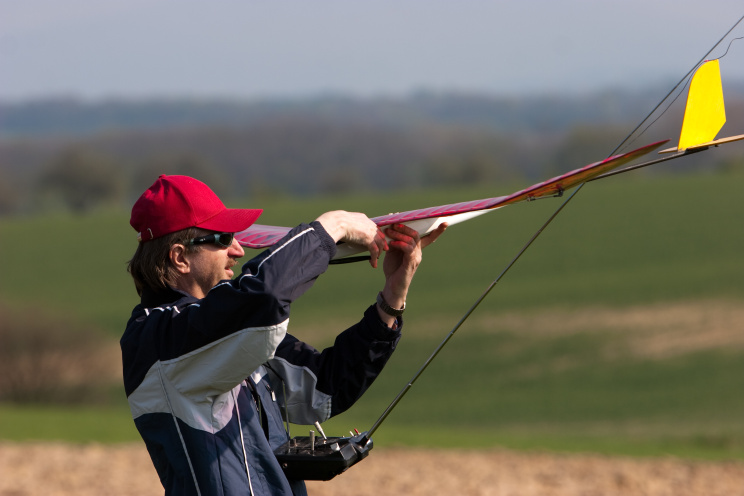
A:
(319, 385)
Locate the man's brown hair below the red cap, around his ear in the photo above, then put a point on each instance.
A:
(150, 266)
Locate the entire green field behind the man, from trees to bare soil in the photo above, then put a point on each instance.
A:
(511, 376)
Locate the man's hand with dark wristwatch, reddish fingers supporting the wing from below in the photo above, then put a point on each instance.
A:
(401, 262)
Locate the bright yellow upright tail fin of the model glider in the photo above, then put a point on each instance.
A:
(705, 114)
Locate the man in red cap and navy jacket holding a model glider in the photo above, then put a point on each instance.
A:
(209, 369)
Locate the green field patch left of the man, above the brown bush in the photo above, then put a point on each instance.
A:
(75, 265)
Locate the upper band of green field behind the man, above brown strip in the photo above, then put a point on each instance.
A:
(620, 242)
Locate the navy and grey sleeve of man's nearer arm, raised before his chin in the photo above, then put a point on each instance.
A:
(208, 346)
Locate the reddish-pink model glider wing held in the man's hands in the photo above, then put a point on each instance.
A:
(260, 236)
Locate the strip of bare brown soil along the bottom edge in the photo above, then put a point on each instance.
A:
(86, 470)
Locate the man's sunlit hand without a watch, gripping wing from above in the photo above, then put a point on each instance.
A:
(355, 228)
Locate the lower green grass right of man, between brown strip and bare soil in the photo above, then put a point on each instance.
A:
(561, 394)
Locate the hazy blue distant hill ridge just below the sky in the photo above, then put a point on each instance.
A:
(503, 114)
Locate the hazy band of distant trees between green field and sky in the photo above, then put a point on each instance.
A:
(320, 148)
